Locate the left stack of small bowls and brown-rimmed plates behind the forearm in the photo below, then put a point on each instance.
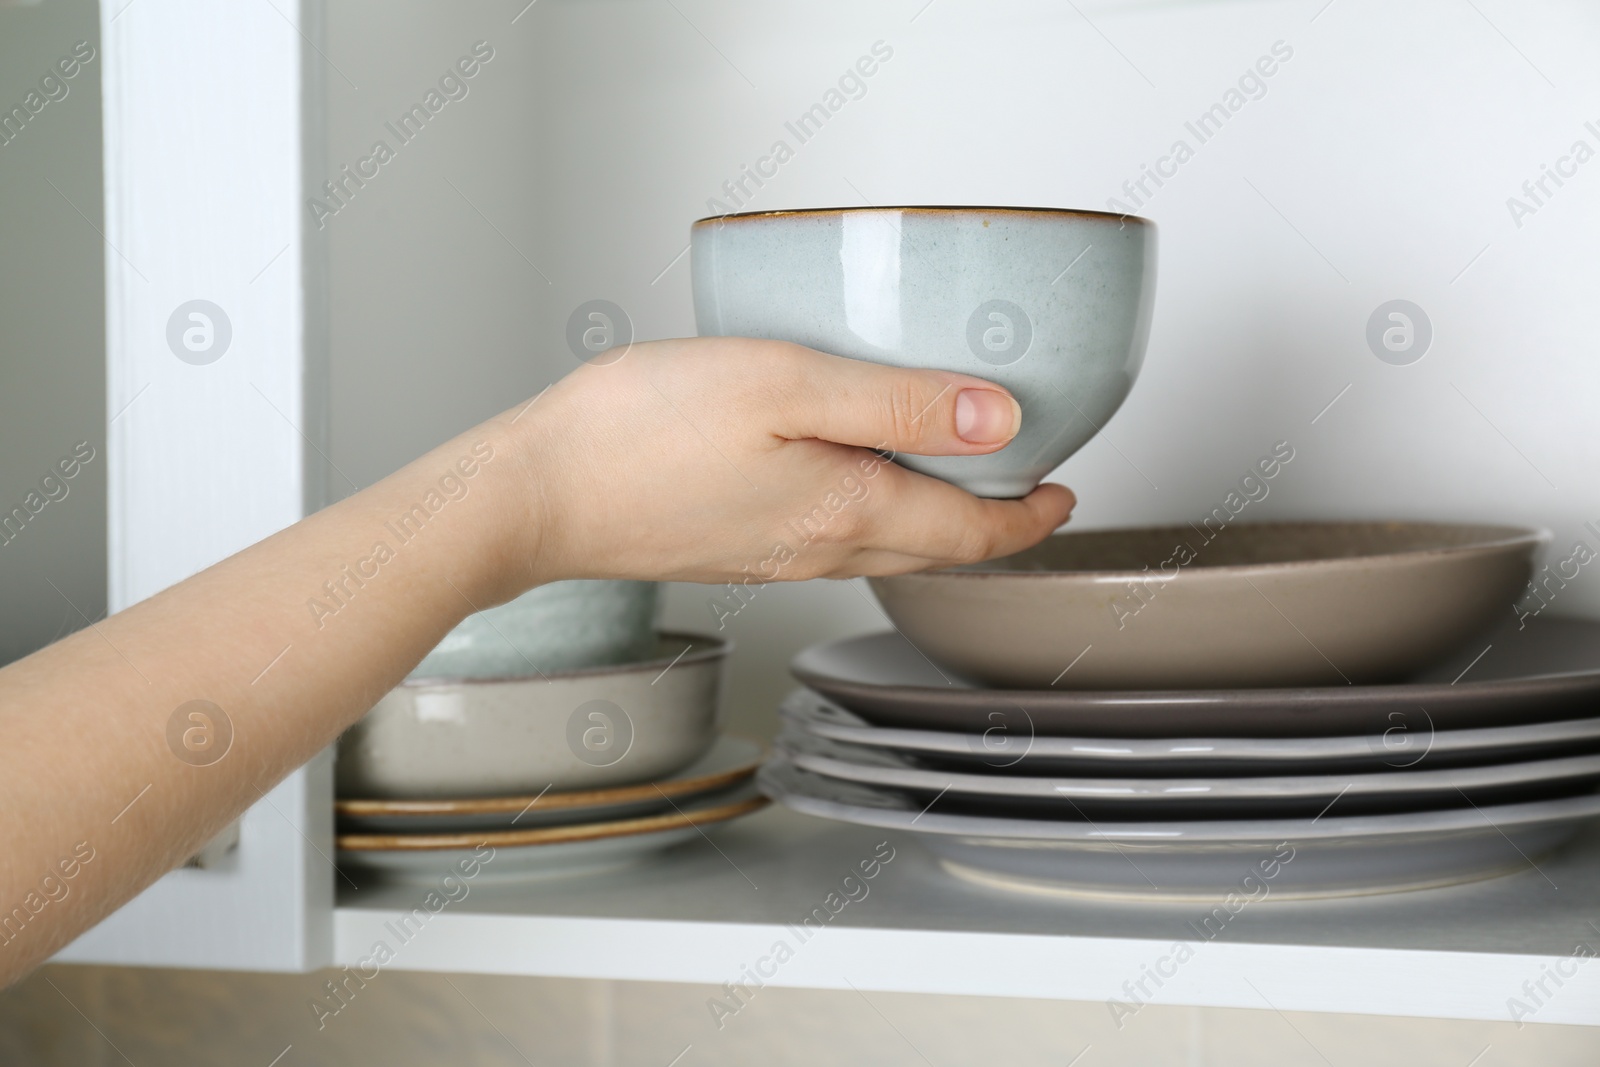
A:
(492, 762)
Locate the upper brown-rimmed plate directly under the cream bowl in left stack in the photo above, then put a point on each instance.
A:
(730, 762)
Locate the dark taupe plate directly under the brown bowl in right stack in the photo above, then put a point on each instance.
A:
(1546, 673)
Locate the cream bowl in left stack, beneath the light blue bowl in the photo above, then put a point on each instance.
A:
(556, 732)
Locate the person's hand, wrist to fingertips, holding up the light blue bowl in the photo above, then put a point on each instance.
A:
(724, 460)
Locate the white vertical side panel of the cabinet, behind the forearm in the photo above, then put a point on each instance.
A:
(214, 430)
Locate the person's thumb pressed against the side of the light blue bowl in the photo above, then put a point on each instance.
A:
(922, 414)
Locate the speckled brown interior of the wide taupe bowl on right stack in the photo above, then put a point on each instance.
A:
(1244, 545)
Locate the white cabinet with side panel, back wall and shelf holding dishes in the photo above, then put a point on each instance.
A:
(1375, 164)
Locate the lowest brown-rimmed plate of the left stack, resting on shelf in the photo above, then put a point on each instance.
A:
(538, 853)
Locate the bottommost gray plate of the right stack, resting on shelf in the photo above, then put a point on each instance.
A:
(1175, 860)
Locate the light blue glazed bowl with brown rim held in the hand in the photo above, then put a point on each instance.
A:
(1052, 305)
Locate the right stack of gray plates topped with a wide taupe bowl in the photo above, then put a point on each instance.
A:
(1268, 717)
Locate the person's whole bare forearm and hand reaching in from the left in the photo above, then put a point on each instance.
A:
(714, 460)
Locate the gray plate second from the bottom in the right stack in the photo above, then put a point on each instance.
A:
(1198, 797)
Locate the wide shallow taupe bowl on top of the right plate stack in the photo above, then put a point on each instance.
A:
(1226, 605)
